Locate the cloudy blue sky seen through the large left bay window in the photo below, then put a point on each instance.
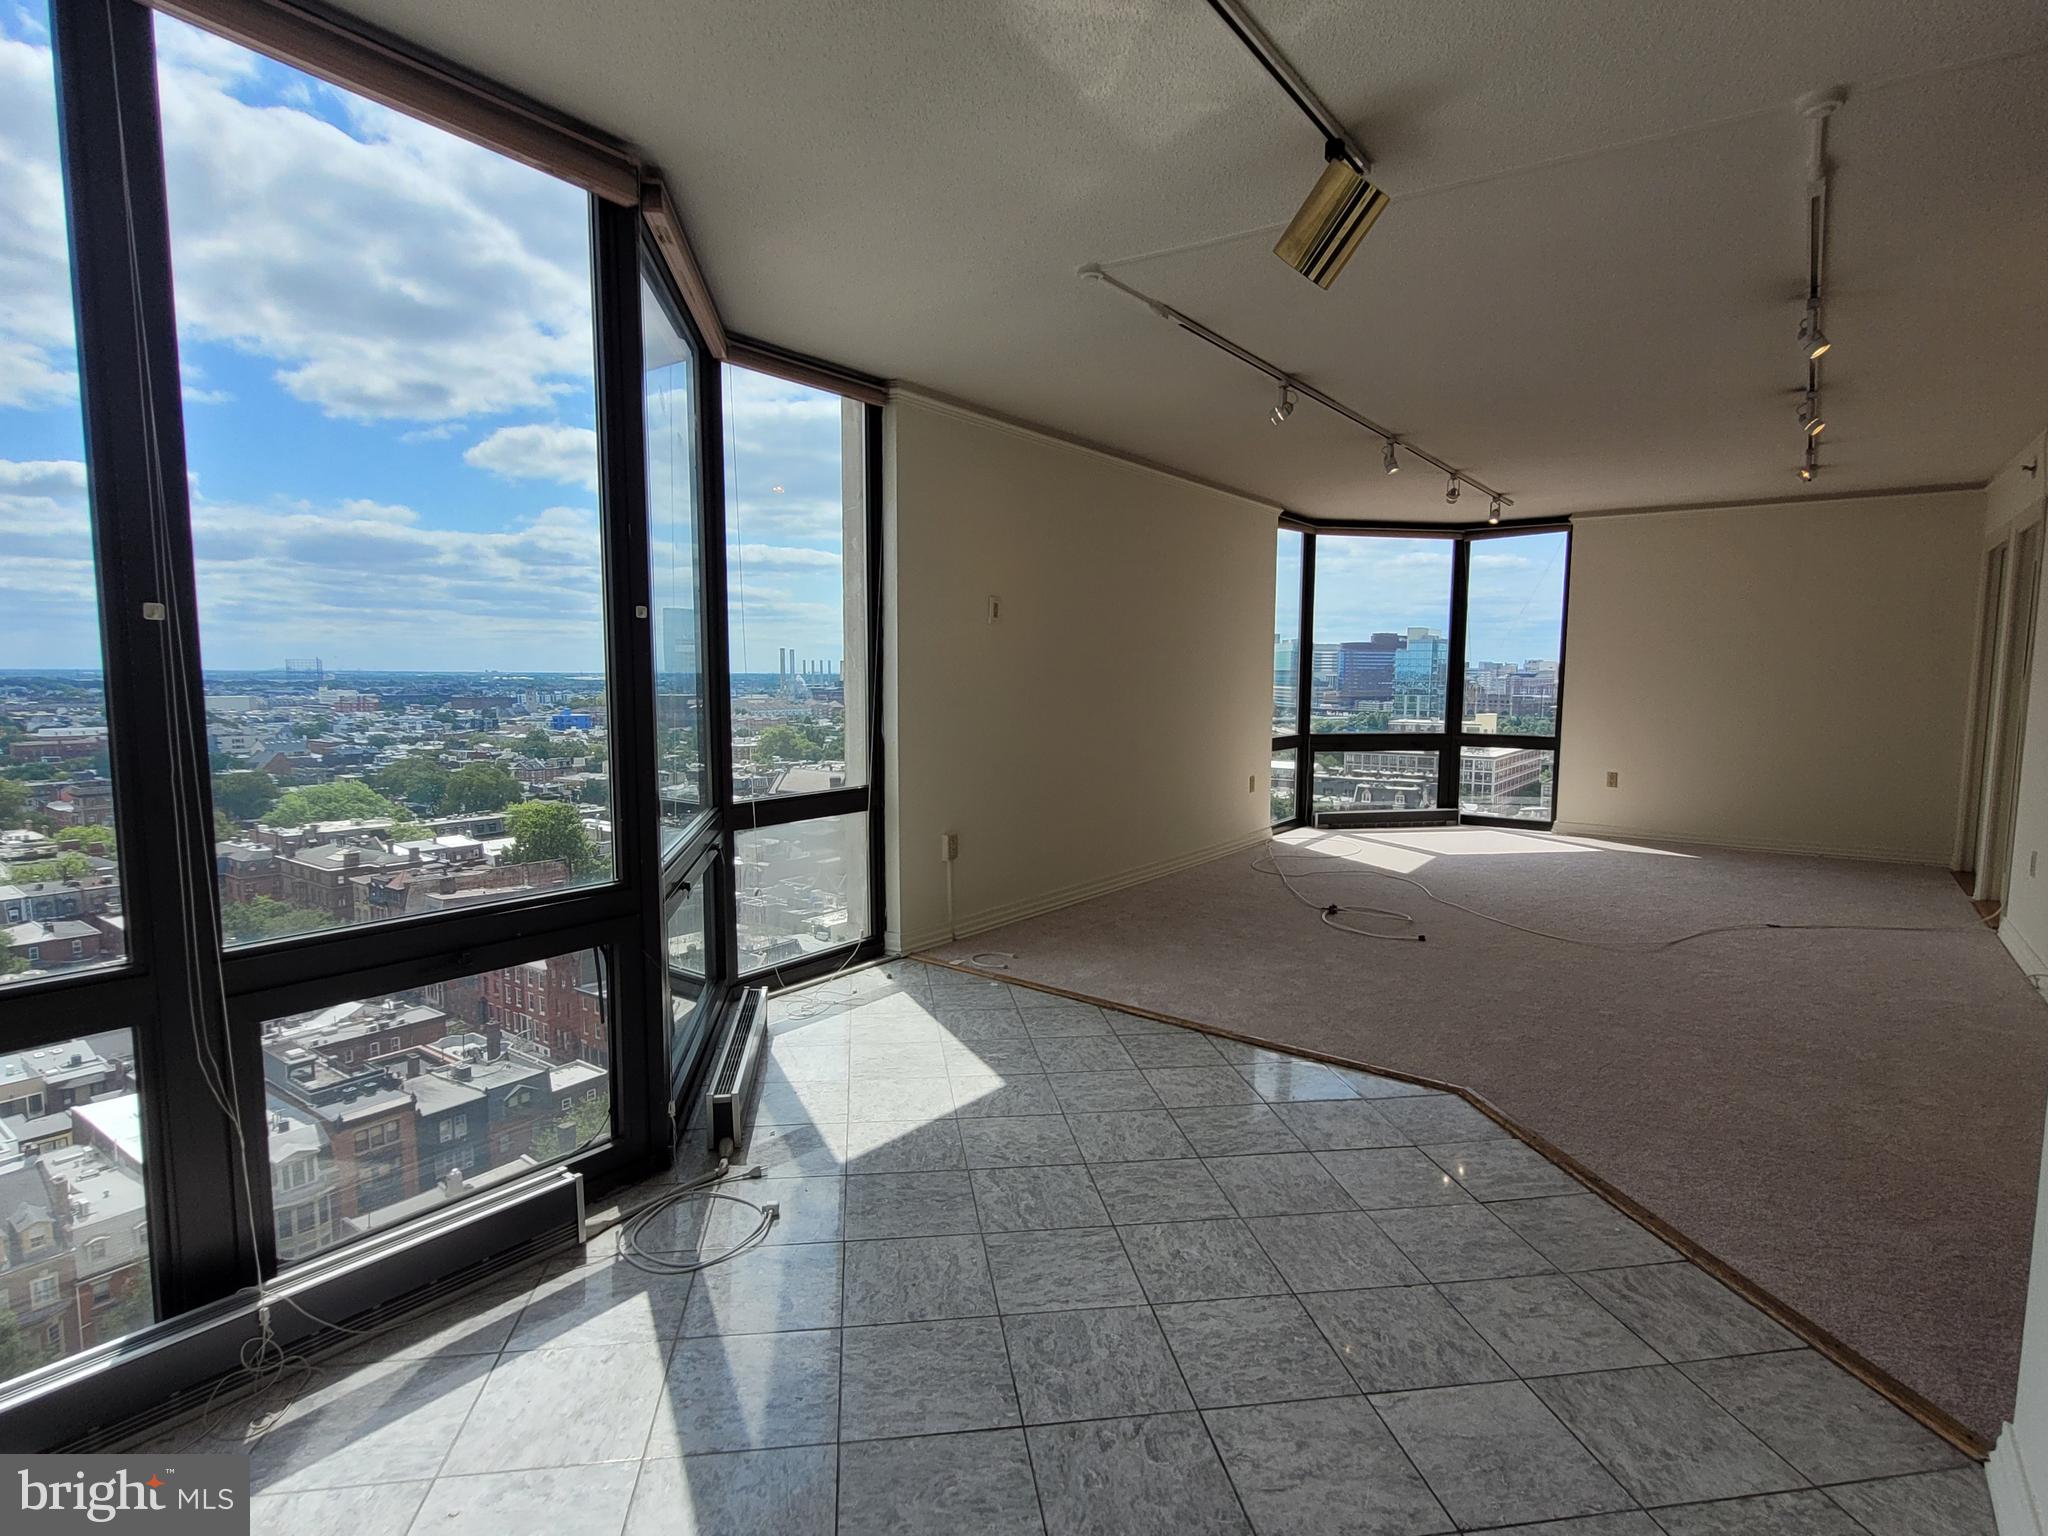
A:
(388, 394)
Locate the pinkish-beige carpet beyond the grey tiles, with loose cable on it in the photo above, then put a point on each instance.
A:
(1850, 1119)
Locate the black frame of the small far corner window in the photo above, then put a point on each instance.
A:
(1449, 744)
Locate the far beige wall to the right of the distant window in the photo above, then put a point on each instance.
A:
(1787, 677)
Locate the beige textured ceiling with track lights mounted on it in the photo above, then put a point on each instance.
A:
(1586, 288)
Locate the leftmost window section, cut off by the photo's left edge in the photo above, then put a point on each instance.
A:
(75, 1162)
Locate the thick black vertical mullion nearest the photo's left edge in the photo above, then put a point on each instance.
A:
(136, 456)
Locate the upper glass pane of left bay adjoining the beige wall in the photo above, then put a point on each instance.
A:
(796, 548)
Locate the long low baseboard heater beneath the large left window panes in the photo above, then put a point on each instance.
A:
(175, 1367)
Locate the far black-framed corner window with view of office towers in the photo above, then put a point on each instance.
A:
(1431, 673)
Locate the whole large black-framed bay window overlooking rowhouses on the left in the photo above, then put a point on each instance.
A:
(380, 818)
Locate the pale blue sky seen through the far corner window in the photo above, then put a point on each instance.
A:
(1367, 585)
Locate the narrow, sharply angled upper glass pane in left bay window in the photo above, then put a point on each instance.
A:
(679, 589)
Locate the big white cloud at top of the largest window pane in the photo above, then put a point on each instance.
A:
(390, 271)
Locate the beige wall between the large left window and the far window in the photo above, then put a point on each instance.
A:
(1113, 724)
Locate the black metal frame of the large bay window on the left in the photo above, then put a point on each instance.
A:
(194, 1005)
